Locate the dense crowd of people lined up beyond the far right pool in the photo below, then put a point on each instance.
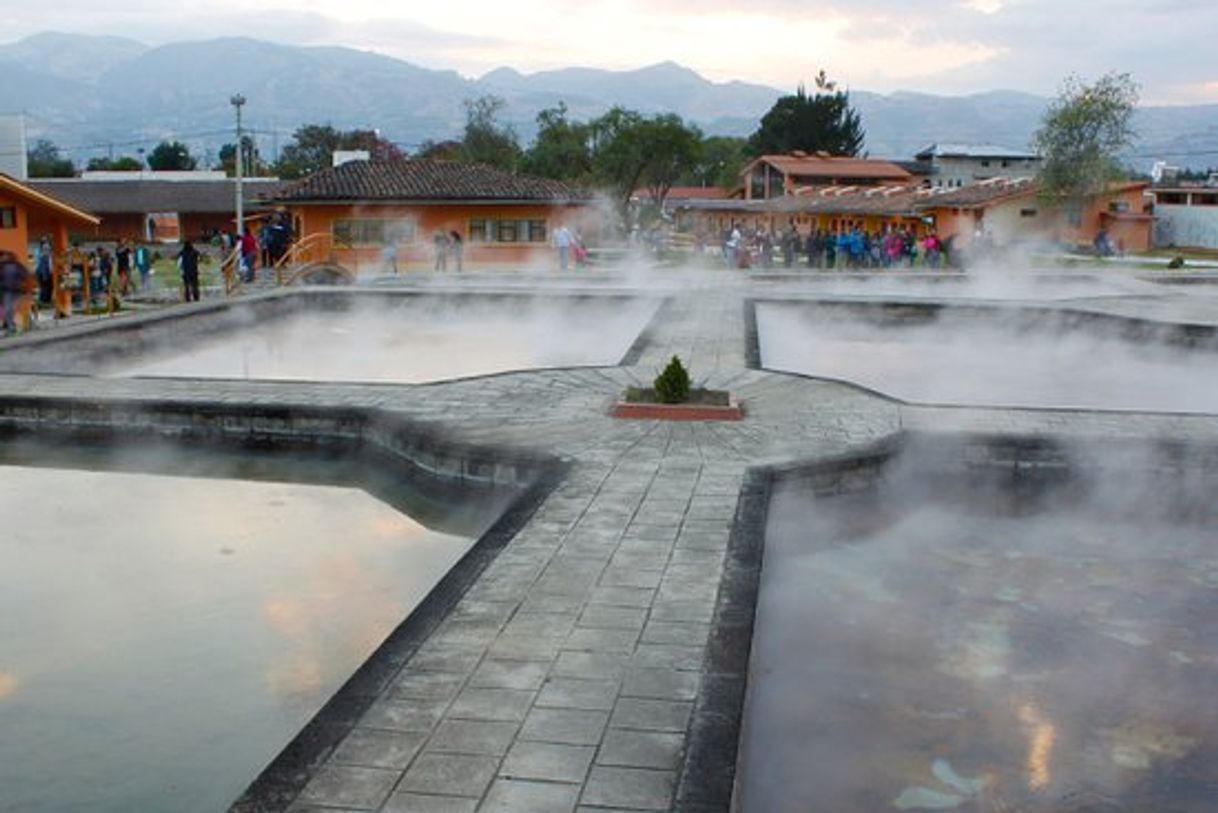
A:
(845, 249)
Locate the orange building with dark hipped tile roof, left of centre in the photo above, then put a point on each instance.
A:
(364, 213)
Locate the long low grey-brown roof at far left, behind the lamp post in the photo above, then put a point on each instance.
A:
(150, 196)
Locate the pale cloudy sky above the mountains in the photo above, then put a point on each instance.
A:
(934, 46)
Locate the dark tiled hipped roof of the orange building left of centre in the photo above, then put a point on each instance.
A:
(416, 180)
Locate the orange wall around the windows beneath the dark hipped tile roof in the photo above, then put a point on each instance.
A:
(431, 220)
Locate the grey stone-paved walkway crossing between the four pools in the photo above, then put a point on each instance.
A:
(568, 676)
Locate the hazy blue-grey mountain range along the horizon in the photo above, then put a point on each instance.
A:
(94, 96)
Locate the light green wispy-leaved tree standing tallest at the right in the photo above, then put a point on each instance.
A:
(1081, 136)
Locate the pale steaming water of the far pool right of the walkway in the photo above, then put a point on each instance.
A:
(996, 365)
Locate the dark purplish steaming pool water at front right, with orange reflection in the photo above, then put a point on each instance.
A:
(938, 658)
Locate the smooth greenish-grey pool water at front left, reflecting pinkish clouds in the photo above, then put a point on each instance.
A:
(163, 639)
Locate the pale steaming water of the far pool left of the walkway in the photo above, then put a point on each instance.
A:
(412, 344)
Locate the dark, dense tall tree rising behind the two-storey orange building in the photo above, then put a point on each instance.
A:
(824, 122)
